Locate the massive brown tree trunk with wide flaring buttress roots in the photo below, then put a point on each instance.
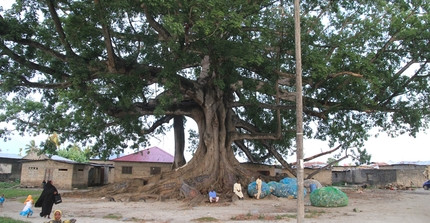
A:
(214, 163)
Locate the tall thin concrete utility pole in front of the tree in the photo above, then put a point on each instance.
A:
(299, 115)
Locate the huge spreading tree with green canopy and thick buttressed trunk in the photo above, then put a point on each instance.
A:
(113, 72)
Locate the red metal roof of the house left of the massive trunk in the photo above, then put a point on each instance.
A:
(151, 155)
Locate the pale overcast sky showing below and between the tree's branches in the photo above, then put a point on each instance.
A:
(382, 149)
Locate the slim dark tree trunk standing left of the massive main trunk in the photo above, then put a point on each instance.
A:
(178, 126)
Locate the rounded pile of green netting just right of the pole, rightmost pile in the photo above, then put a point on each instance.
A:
(328, 197)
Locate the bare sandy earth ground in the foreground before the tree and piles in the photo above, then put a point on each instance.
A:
(369, 205)
